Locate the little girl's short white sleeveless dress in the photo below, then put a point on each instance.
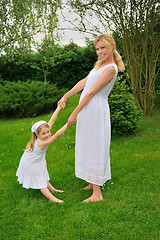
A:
(32, 171)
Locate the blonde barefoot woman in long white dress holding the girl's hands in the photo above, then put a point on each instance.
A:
(92, 159)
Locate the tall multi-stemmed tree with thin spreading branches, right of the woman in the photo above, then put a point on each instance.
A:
(136, 21)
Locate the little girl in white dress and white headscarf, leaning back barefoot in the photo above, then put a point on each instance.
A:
(32, 171)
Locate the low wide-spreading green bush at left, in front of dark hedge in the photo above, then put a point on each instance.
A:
(28, 99)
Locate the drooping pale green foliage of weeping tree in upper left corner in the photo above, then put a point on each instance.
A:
(21, 20)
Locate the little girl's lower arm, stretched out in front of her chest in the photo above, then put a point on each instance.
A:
(43, 144)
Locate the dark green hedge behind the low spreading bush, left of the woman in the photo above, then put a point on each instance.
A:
(63, 66)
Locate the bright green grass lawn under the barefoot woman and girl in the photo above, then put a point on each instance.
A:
(130, 207)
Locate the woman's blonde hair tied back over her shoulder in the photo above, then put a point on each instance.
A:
(108, 40)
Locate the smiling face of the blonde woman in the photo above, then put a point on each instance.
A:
(104, 52)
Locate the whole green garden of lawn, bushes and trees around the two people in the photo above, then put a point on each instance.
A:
(31, 83)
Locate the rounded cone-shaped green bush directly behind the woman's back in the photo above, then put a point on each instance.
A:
(123, 110)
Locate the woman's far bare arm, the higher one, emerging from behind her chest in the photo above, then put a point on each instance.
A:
(77, 88)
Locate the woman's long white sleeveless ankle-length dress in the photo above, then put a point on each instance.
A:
(93, 133)
